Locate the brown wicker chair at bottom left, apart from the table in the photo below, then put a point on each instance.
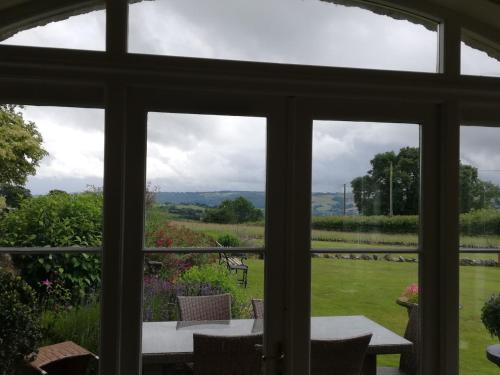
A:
(59, 359)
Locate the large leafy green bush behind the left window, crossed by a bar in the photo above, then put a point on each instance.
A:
(57, 220)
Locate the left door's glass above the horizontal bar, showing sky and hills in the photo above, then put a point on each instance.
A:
(205, 181)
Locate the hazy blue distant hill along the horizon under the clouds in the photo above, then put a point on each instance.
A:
(323, 204)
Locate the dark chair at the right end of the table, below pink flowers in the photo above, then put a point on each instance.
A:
(408, 362)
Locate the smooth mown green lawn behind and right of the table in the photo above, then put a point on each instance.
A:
(346, 287)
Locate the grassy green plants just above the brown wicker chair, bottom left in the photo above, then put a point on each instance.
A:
(80, 325)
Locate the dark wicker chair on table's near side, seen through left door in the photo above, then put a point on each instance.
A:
(226, 355)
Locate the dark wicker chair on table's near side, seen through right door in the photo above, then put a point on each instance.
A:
(339, 357)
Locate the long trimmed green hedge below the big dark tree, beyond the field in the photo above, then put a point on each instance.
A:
(478, 222)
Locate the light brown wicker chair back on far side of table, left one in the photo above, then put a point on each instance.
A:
(216, 307)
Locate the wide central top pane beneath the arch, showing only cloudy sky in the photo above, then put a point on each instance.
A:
(285, 31)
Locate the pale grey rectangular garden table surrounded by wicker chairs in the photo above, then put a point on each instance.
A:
(172, 342)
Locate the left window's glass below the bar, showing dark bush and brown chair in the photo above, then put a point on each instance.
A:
(50, 303)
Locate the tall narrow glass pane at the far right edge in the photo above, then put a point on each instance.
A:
(479, 232)
